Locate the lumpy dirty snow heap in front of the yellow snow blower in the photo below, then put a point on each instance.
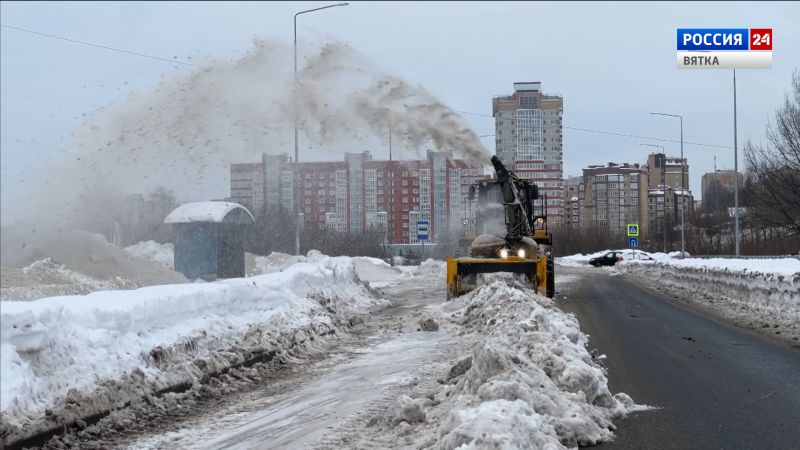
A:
(529, 383)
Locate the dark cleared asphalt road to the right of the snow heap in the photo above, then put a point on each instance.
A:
(716, 386)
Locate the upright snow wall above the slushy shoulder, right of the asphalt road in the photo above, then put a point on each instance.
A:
(768, 288)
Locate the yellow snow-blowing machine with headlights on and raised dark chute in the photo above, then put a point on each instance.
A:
(505, 202)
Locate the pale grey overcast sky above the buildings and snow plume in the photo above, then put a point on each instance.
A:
(613, 63)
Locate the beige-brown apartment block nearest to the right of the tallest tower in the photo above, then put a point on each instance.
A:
(612, 196)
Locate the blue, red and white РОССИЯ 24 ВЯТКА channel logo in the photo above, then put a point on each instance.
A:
(724, 48)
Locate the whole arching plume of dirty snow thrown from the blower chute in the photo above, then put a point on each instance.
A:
(183, 134)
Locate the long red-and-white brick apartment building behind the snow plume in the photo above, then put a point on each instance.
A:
(360, 193)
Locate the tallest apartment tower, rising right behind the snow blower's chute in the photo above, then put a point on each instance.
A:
(528, 137)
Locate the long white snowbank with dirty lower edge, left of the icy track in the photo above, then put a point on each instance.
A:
(132, 343)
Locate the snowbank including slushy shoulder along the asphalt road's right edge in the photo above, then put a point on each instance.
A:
(761, 294)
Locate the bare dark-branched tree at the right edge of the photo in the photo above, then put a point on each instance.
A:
(776, 167)
